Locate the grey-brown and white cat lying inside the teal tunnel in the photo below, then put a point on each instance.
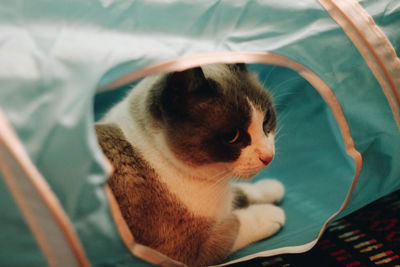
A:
(178, 143)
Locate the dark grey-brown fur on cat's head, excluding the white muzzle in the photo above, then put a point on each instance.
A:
(197, 111)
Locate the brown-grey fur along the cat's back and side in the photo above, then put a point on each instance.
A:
(154, 215)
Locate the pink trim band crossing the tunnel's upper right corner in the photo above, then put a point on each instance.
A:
(373, 45)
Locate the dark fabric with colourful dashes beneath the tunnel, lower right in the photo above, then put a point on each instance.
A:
(367, 237)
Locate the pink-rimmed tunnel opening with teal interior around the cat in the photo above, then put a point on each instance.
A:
(312, 157)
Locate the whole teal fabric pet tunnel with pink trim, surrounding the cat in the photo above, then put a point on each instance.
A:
(331, 66)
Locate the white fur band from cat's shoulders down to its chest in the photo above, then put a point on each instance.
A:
(203, 195)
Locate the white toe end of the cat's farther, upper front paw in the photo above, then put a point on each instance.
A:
(268, 191)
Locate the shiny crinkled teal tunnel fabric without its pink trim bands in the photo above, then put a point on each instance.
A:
(54, 54)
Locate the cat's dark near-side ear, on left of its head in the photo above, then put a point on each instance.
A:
(187, 81)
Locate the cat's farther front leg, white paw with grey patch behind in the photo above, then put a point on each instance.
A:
(263, 191)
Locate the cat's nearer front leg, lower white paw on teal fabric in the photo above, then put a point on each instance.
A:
(257, 222)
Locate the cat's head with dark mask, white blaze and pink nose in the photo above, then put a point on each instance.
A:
(217, 114)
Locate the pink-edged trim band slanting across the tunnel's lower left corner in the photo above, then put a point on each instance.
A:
(38, 204)
